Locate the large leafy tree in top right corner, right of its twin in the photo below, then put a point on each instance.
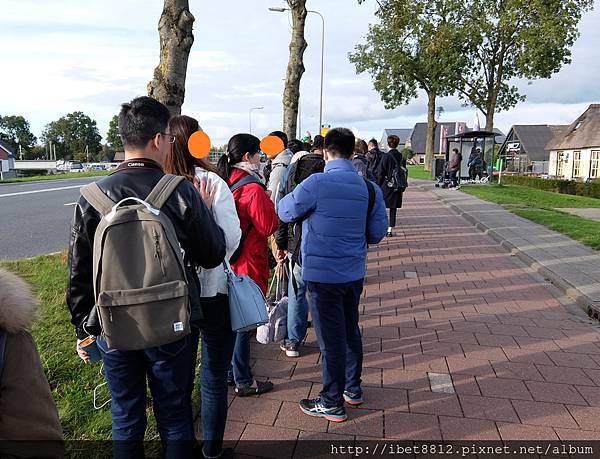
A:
(508, 39)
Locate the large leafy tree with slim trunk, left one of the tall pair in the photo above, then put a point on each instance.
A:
(416, 46)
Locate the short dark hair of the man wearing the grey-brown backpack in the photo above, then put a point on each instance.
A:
(140, 120)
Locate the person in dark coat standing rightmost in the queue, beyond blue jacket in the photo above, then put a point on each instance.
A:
(392, 165)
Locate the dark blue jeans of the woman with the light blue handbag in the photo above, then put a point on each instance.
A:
(217, 348)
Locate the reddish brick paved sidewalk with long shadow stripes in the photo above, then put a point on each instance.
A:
(460, 343)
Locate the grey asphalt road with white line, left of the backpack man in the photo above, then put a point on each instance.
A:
(35, 217)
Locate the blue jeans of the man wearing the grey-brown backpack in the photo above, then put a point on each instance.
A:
(170, 379)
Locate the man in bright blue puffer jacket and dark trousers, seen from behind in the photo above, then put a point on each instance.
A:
(336, 229)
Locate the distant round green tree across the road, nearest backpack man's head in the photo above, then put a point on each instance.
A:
(72, 134)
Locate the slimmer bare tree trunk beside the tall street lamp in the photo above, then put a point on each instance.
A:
(291, 92)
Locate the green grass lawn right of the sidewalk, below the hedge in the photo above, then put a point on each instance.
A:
(539, 206)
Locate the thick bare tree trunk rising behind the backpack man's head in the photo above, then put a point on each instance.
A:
(176, 39)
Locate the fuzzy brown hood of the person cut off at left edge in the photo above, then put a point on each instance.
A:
(17, 305)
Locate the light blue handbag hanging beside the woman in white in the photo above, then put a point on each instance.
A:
(247, 303)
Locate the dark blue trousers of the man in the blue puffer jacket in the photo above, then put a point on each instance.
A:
(334, 309)
